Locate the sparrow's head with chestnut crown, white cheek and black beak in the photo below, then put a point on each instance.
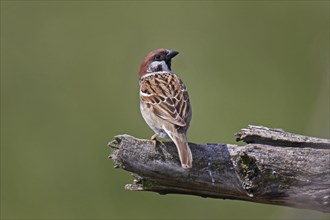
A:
(157, 61)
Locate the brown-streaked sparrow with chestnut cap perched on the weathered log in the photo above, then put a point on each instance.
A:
(164, 102)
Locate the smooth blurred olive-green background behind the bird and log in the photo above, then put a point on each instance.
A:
(69, 83)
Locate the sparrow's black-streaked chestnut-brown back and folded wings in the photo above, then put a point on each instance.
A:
(167, 96)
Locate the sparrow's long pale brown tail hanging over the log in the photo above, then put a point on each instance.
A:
(185, 155)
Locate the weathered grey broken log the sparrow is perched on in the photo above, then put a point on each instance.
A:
(261, 171)
